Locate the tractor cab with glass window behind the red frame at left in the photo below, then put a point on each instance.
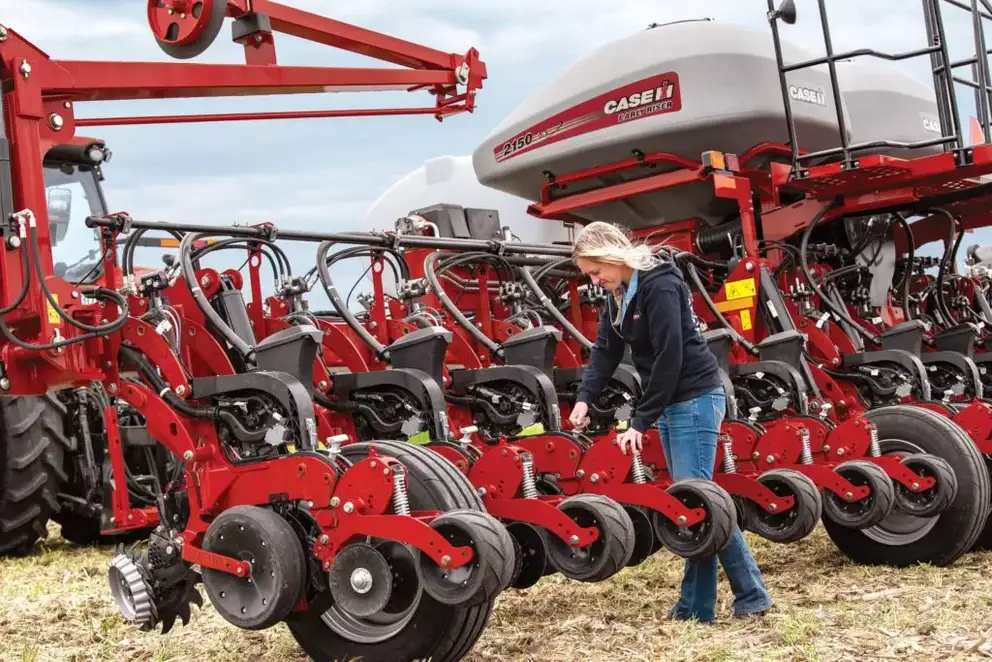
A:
(73, 176)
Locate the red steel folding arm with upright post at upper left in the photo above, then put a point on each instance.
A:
(37, 106)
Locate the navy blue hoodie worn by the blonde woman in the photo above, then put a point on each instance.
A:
(666, 342)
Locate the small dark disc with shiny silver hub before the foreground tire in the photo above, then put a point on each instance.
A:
(361, 580)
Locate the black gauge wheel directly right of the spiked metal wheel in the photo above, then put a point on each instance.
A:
(278, 567)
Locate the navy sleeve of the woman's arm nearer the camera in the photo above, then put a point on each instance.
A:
(663, 310)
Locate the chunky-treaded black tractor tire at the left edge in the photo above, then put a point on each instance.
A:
(32, 452)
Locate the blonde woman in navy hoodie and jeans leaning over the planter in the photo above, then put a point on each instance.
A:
(651, 310)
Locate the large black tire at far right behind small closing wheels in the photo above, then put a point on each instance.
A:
(901, 540)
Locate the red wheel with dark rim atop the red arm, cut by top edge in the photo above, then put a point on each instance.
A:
(184, 29)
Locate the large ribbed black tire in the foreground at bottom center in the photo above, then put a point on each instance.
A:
(433, 630)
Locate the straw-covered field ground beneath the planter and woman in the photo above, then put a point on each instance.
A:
(55, 605)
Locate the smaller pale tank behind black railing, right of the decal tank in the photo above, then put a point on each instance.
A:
(886, 104)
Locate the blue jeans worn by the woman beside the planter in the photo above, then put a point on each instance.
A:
(689, 431)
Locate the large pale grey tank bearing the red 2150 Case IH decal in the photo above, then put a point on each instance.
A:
(685, 88)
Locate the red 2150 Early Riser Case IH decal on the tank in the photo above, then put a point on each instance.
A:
(644, 98)
